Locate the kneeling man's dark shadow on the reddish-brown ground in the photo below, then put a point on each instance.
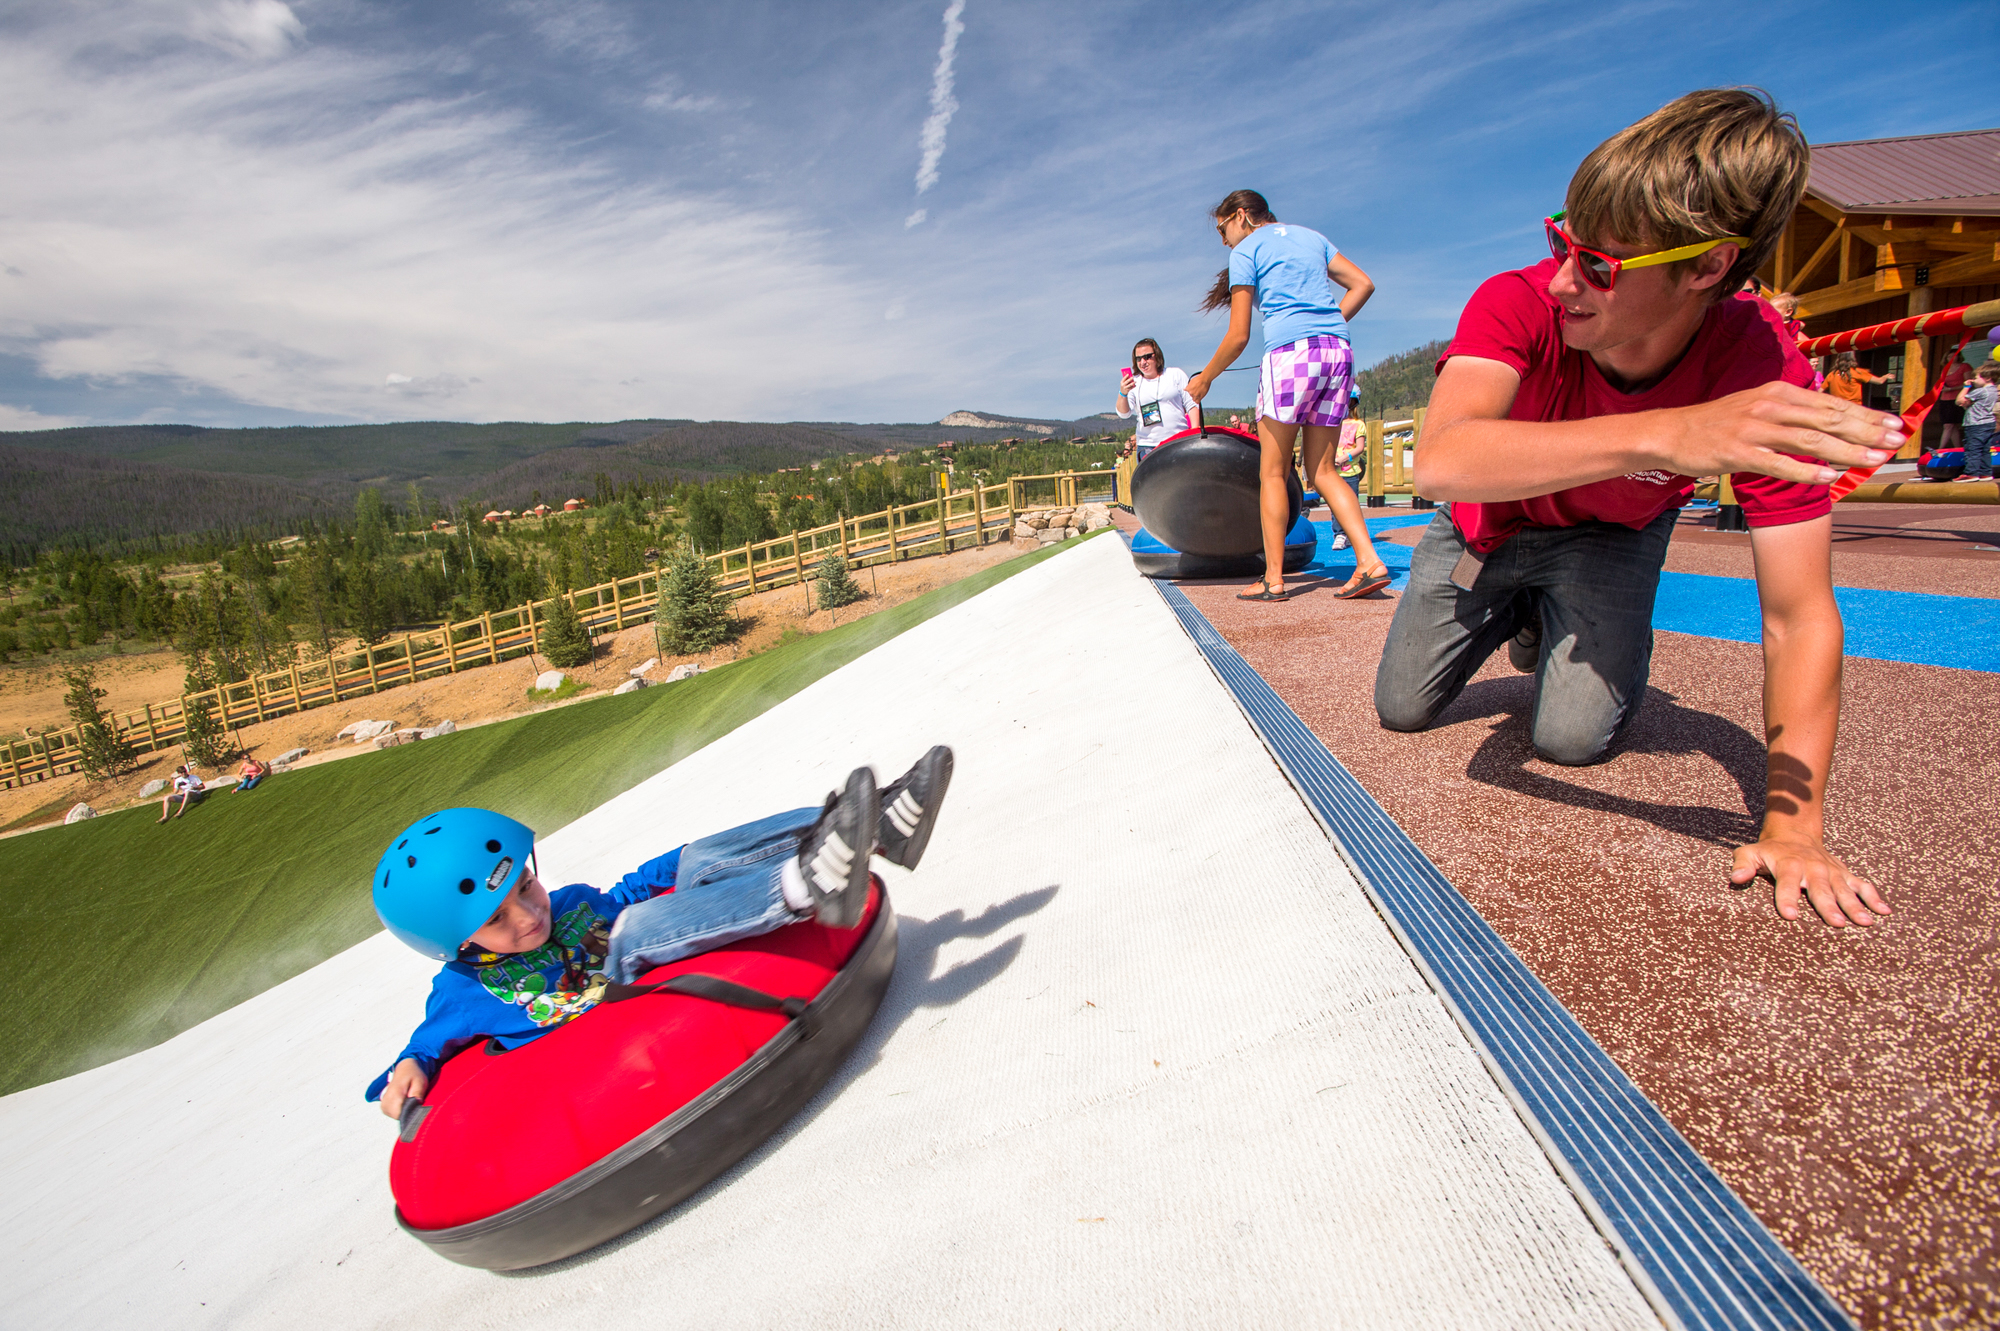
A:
(1663, 726)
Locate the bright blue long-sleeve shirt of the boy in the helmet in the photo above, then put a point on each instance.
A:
(523, 996)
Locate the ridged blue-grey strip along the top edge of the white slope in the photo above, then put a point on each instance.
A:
(1691, 1244)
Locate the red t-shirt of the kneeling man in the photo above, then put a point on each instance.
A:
(1515, 321)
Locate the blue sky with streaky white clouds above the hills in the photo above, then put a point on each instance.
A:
(331, 211)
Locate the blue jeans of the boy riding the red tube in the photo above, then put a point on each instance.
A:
(727, 890)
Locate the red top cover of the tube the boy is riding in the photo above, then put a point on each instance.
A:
(503, 1130)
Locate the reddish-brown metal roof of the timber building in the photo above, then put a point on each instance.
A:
(1923, 173)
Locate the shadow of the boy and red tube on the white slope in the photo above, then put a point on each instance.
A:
(915, 988)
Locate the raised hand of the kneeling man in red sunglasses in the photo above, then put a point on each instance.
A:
(1757, 429)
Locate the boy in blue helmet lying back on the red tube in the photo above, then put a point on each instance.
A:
(461, 886)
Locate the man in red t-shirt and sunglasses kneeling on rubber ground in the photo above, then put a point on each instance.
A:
(1573, 413)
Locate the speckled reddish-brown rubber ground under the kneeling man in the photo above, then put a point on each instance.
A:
(1847, 1084)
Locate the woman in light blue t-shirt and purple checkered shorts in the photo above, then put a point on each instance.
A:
(1291, 273)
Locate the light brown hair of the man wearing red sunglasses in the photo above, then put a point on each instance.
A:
(1713, 163)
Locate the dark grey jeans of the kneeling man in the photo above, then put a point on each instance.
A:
(1595, 589)
